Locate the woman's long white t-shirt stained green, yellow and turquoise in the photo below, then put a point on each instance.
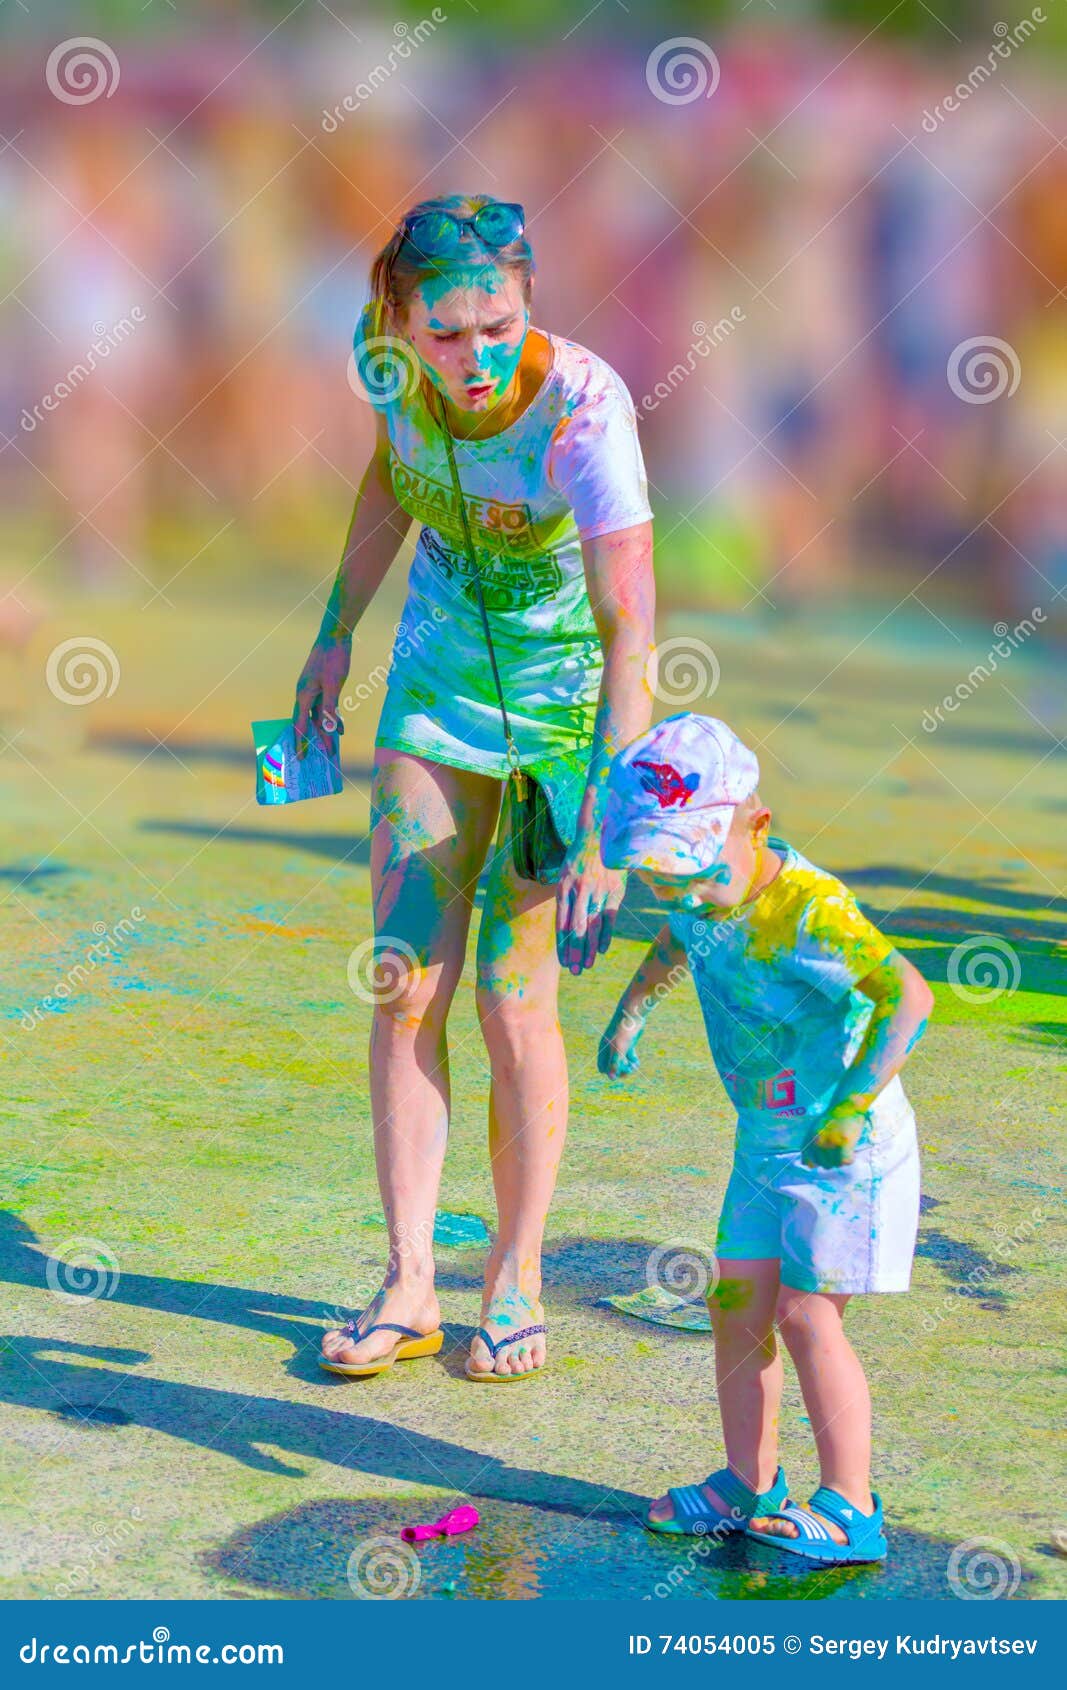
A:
(567, 471)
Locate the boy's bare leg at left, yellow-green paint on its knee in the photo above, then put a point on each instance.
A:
(748, 1375)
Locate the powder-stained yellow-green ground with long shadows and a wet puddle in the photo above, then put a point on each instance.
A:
(189, 1120)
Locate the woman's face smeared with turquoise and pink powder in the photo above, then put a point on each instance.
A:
(469, 329)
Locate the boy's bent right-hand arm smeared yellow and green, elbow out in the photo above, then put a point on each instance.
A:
(902, 1006)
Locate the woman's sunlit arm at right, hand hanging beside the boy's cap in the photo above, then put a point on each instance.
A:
(623, 597)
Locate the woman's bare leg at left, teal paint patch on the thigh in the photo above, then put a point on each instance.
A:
(432, 827)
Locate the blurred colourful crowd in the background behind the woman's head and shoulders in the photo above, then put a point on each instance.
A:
(784, 268)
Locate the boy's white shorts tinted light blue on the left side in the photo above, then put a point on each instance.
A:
(833, 1229)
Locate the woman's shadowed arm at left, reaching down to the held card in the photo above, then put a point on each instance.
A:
(375, 537)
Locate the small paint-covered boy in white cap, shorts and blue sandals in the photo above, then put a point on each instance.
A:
(811, 1015)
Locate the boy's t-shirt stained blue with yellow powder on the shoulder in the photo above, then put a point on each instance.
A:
(777, 986)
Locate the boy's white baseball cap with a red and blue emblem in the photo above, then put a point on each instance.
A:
(672, 795)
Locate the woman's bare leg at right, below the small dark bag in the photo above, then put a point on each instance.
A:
(518, 1010)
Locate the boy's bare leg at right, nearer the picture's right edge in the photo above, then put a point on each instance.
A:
(836, 1398)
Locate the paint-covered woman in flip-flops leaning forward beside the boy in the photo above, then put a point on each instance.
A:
(550, 467)
